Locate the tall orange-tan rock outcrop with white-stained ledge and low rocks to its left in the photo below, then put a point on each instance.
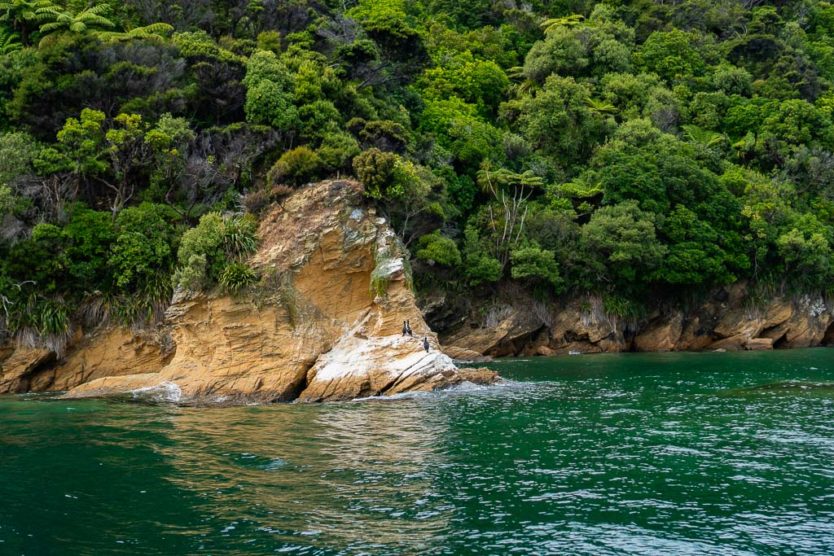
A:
(324, 324)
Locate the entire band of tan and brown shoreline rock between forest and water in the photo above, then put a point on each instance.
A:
(325, 324)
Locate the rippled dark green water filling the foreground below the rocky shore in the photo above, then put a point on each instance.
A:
(613, 454)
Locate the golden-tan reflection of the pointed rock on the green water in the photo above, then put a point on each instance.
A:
(350, 473)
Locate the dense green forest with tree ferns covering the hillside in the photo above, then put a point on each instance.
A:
(622, 148)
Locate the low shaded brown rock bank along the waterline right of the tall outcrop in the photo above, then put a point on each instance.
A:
(728, 319)
